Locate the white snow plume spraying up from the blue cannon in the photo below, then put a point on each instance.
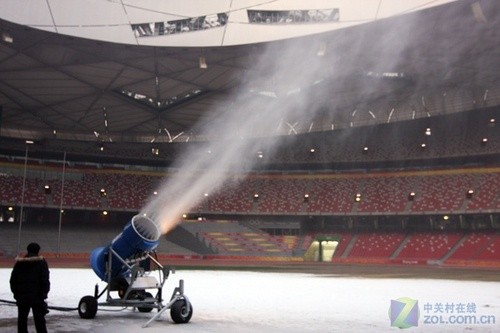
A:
(287, 84)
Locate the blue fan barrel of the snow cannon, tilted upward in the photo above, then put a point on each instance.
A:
(140, 235)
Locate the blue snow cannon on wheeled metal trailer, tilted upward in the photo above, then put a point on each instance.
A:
(128, 266)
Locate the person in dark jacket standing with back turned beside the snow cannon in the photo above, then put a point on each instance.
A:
(30, 285)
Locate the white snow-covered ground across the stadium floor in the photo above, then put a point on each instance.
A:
(235, 301)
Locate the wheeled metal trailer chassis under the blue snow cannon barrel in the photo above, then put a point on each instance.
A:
(132, 291)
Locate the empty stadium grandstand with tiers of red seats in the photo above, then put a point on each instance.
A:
(442, 213)
